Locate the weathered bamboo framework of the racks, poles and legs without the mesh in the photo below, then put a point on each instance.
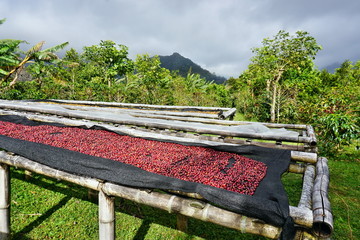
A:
(312, 216)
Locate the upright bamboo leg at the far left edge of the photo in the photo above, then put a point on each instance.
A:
(4, 202)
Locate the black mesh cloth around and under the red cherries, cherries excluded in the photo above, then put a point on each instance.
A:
(269, 203)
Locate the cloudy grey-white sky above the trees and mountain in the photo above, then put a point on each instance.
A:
(216, 34)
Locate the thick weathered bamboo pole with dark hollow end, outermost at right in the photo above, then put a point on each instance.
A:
(323, 219)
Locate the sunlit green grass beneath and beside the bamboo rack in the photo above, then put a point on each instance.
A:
(44, 208)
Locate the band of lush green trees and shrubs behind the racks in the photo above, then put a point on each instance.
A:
(281, 84)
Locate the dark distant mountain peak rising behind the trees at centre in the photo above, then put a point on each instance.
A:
(176, 62)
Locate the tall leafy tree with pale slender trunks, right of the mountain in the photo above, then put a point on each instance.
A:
(278, 55)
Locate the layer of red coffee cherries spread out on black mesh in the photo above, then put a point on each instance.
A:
(225, 170)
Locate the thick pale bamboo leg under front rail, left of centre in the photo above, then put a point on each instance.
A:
(106, 217)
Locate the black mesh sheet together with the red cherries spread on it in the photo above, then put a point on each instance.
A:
(258, 193)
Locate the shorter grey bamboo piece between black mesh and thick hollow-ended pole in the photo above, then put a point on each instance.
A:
(308, 183)
